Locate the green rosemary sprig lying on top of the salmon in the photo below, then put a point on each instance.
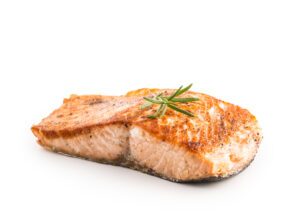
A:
(169, 102)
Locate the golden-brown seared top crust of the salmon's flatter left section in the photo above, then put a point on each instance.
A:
(80, 114)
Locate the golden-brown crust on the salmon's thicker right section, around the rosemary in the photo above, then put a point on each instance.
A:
(214, 124)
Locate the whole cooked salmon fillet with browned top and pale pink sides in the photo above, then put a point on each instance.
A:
(220, 140)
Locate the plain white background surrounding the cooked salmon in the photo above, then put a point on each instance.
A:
(244, 52)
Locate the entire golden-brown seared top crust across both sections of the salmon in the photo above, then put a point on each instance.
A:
(214, 124)
